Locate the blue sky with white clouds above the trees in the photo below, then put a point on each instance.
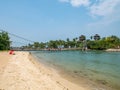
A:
(43, 20)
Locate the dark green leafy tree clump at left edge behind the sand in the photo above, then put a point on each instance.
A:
(4, 41)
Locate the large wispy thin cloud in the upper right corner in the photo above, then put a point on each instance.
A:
(108, 9)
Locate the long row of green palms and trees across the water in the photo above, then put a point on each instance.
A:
(95, 43)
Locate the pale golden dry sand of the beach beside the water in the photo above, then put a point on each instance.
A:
(22, 72)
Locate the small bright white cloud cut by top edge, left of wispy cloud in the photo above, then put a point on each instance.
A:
(77, 3)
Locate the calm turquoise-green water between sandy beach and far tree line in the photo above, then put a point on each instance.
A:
(97, 66)
